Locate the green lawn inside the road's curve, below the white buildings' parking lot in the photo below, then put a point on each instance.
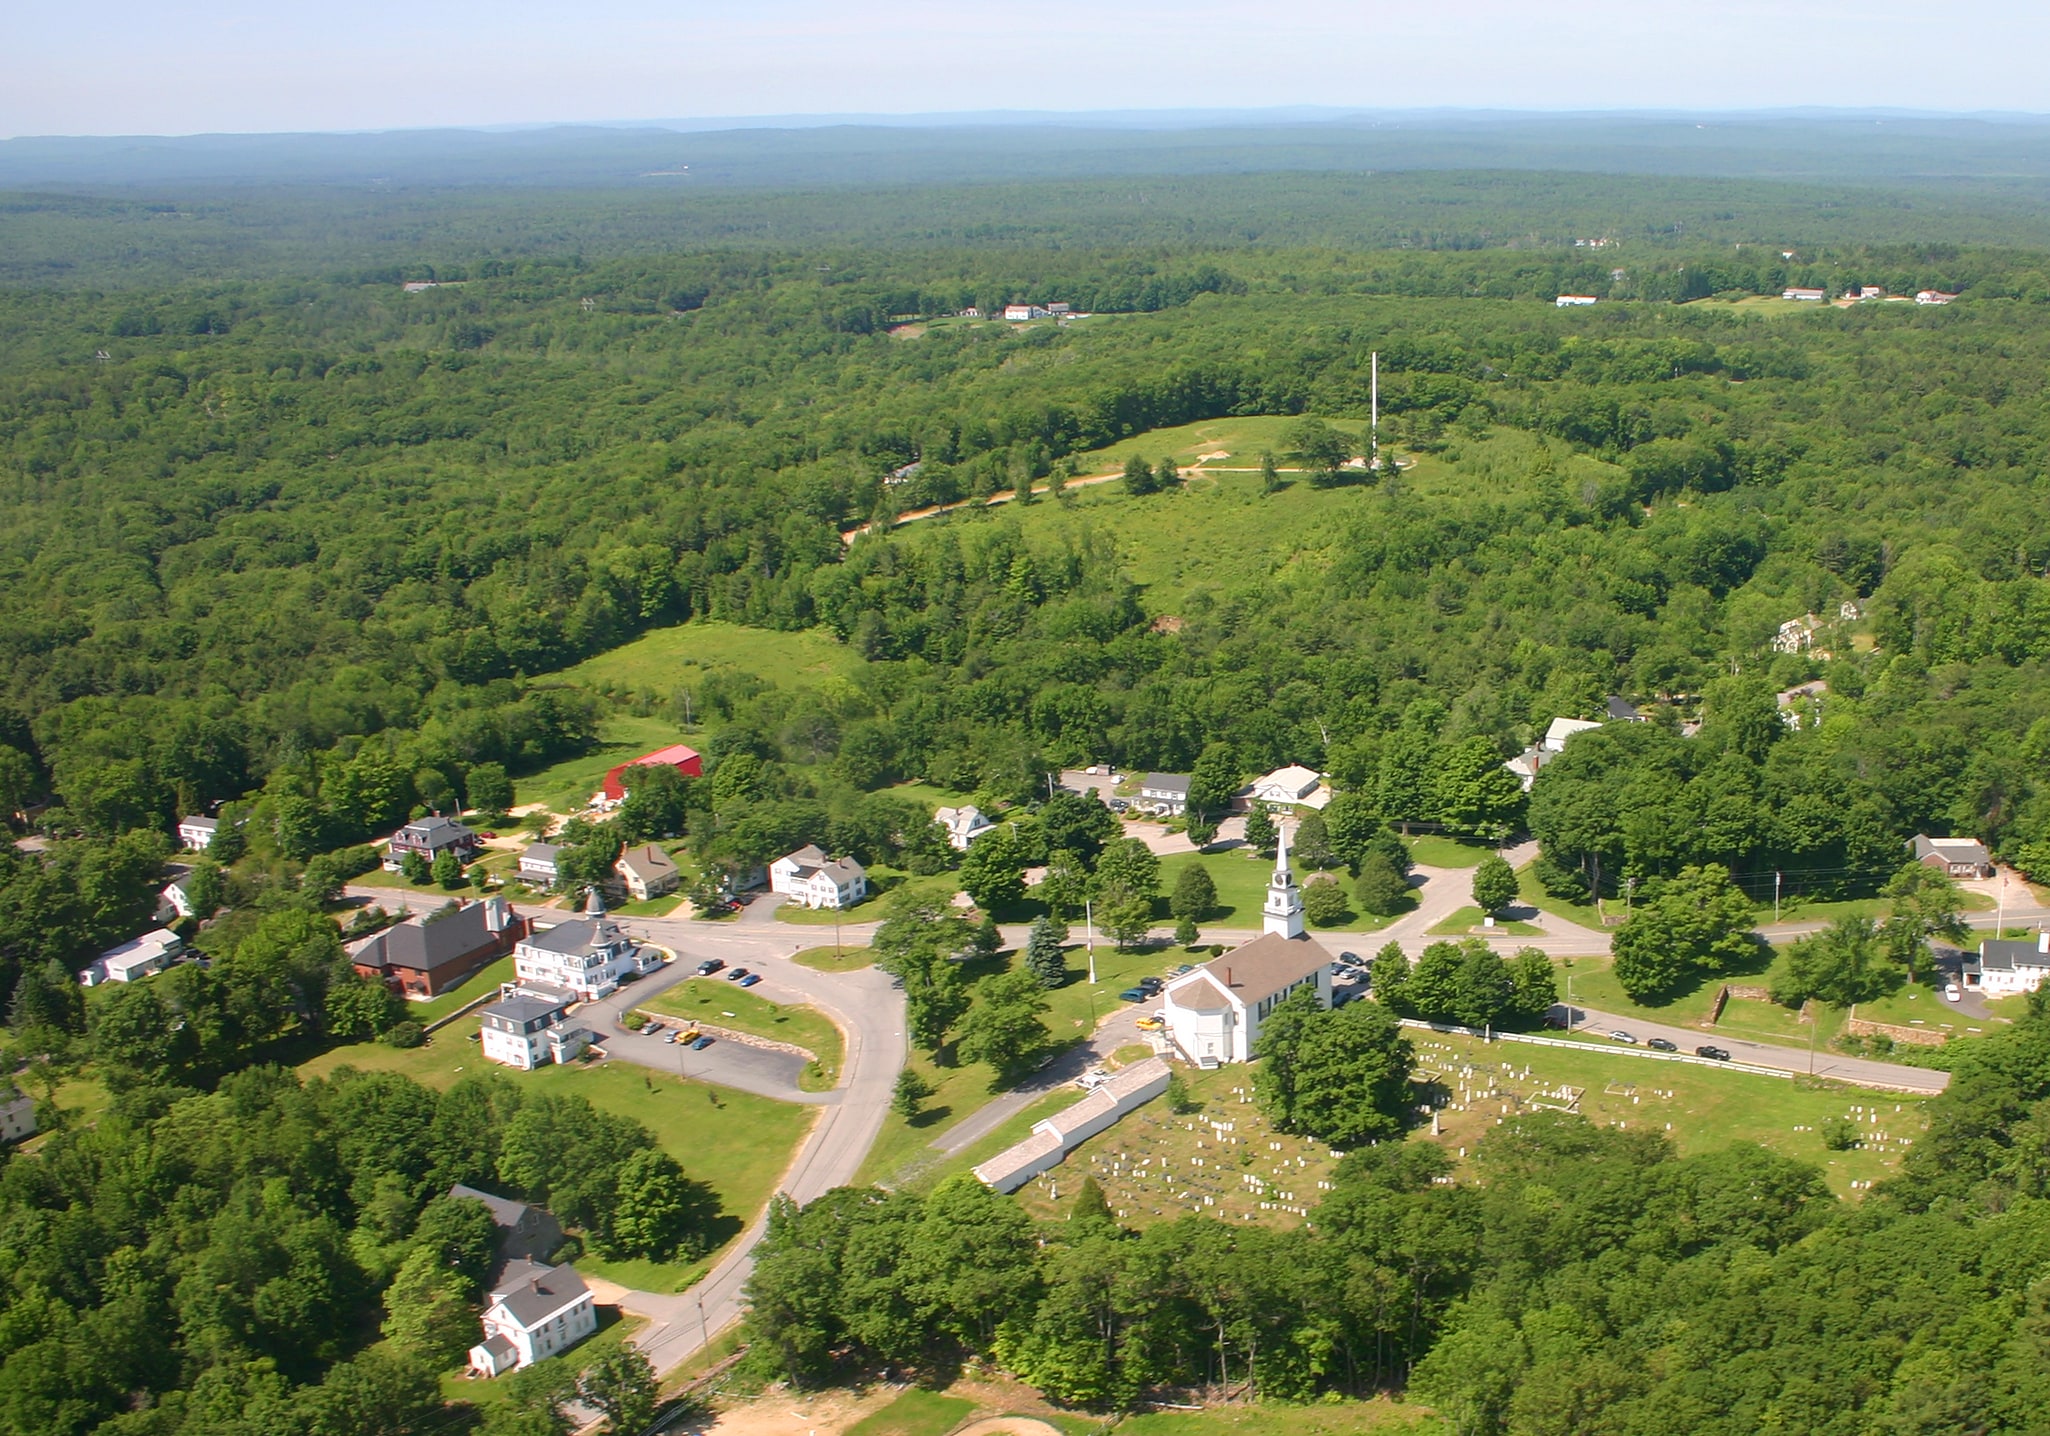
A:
(733, 1142)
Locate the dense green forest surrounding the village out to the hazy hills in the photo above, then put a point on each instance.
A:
(315, 553)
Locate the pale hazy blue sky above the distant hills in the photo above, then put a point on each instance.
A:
(181, 67)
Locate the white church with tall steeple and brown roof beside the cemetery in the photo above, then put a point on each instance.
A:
(1215, 1012)
